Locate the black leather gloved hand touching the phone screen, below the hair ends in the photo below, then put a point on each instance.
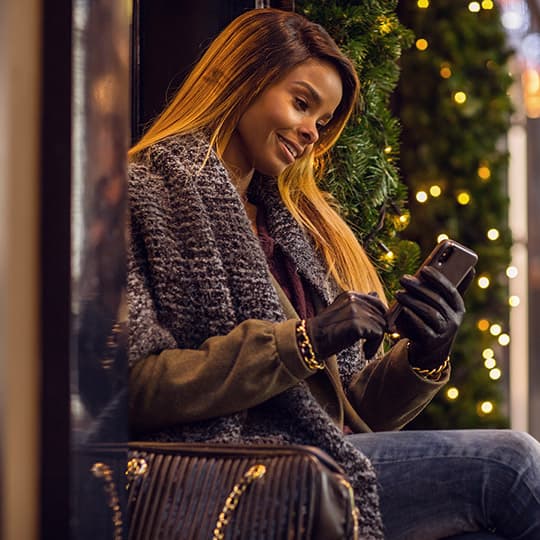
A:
(352, 316)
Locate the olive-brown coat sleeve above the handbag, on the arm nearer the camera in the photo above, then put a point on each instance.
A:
(254, 362)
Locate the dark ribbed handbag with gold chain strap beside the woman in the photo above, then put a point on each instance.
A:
(216, 491)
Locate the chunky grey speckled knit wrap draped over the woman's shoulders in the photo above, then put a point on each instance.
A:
(196, 270)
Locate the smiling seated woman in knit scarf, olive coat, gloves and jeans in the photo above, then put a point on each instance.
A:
(255, 315)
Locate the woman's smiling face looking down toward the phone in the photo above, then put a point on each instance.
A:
(285, 121)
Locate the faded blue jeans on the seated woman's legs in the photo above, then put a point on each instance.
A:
(462, 484)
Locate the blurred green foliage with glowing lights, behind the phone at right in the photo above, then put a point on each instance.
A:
(446, 143)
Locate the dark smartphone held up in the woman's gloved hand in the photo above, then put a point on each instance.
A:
(449, 257)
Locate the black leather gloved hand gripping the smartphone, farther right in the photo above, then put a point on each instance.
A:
(432, 312)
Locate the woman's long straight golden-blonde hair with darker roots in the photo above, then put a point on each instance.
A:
(252, 53)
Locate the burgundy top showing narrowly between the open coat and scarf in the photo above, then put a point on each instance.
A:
(284, 270)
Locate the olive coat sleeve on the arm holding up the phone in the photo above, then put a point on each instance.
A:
(388, 393)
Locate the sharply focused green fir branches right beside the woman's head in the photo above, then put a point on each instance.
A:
(363, 175)
